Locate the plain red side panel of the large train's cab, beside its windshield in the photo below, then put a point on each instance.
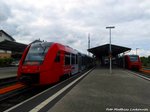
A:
(48, 73)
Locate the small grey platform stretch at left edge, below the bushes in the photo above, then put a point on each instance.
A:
(7, 72)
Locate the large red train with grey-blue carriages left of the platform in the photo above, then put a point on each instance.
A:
(46, 62)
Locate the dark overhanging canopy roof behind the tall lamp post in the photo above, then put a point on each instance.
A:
(104, 50)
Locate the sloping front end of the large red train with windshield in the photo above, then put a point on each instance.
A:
(29, 69)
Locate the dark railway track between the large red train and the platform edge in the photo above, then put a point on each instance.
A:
(24, 94)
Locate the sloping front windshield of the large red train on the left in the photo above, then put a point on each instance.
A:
(36, 54)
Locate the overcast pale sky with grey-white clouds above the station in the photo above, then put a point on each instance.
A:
(70, 21)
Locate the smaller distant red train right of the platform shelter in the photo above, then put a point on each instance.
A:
(130, 62)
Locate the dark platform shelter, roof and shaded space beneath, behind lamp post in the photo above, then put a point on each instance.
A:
(102, 53)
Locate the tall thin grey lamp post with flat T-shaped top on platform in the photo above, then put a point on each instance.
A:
(110, 51)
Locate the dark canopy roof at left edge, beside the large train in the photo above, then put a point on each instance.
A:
(12, 46)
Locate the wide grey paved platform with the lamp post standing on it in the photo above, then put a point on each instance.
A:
(99, 91)
